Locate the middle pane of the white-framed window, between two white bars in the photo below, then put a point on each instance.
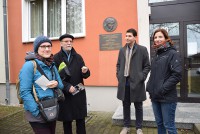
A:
(54, 18)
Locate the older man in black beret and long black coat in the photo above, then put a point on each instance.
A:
(74, 107)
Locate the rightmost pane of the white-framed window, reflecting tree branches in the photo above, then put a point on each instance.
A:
(74, 16)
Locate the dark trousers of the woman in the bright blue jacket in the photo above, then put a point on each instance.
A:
(43, 128)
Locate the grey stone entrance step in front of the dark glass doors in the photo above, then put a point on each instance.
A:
(187, 114)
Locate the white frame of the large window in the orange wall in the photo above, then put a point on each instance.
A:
(26, 30)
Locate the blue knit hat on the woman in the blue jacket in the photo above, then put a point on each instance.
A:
(39, 40)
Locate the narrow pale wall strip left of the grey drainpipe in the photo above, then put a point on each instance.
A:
(2, 58)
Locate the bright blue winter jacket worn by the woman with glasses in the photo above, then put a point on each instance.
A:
(28, 78)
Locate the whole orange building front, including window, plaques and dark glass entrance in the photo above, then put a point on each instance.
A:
(99, 28)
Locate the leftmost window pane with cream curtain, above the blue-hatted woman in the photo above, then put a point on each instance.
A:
(36, 18)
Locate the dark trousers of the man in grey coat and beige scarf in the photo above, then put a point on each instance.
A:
(127, 110)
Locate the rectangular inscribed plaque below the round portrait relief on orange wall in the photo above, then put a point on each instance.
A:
(110, 41)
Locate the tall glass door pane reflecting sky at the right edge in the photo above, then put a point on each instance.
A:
(193, 54)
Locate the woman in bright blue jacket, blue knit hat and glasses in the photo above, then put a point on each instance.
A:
(27, 76)
